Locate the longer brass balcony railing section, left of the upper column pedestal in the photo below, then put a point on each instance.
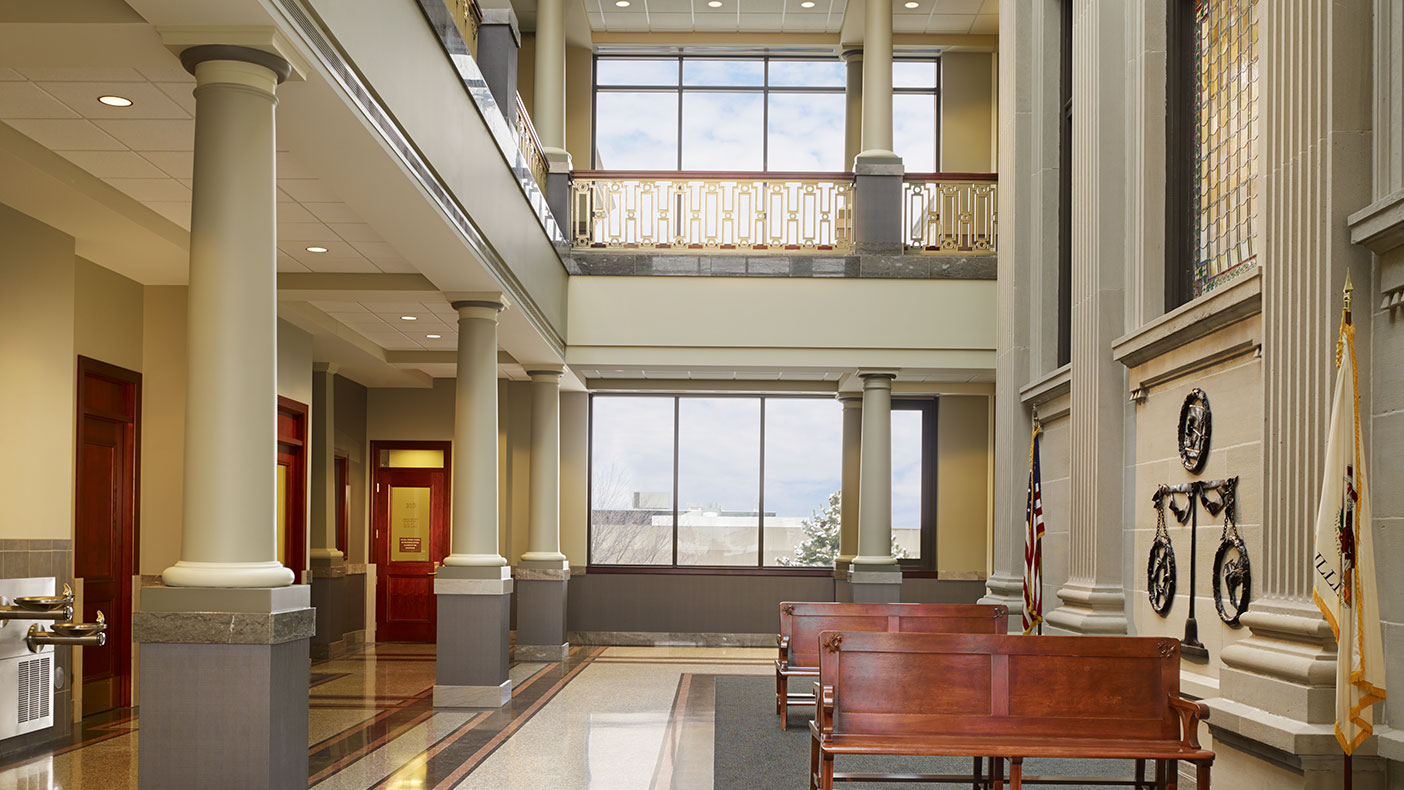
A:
(713, 211)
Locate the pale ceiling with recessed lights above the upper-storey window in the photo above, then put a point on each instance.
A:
(951, 18)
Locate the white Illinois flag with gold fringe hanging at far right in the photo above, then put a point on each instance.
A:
(1344, 582)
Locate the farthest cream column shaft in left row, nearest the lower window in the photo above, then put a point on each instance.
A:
(544, 520)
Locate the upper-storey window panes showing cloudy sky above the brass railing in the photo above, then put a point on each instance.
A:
(746, 114)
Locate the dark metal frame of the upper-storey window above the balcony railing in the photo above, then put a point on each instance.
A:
(766, 89)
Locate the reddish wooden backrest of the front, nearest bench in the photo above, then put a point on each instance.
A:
(1002, 685)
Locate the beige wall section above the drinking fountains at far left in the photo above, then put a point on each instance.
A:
(37, 272)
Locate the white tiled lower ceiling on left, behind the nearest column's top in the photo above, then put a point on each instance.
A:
(145, 151)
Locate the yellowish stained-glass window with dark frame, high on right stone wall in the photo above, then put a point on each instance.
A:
(1215, 158)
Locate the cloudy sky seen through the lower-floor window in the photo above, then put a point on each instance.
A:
(720, 454)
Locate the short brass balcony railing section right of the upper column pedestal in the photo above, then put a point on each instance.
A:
(950, 213)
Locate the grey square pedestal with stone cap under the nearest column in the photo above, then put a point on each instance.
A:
(224, 692)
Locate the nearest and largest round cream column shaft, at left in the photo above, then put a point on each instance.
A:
(230, 514)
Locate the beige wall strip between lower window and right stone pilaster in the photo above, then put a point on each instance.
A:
(962, 483)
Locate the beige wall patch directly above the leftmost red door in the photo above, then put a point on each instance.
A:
(107, 316)
